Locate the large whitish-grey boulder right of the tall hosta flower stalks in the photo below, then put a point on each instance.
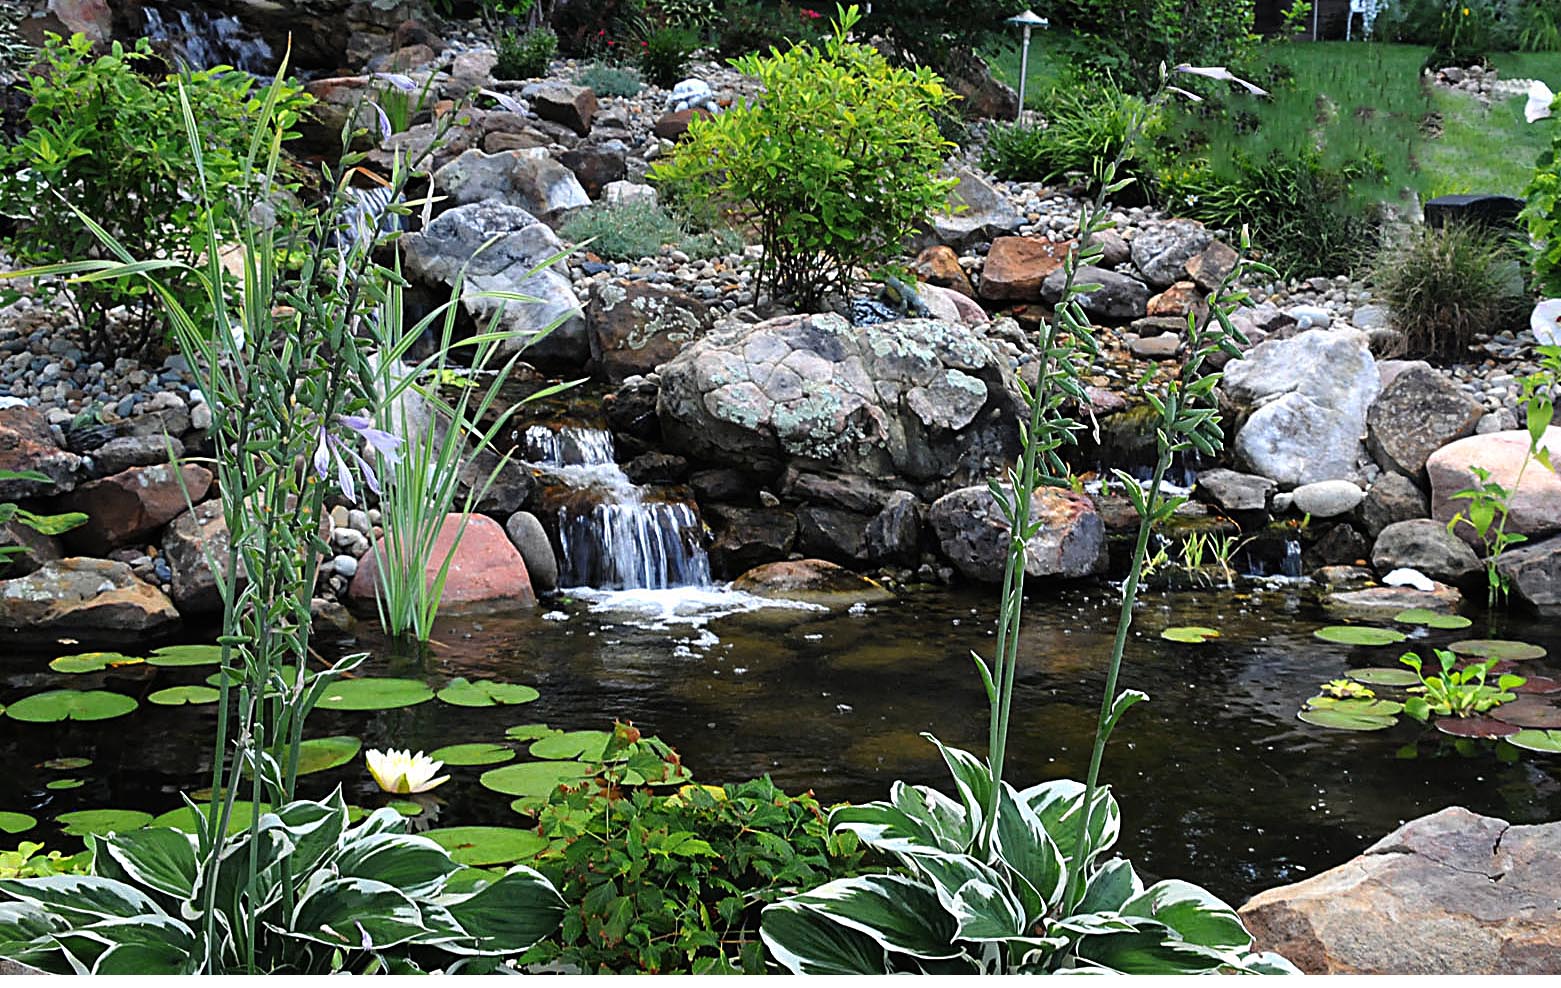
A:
(1306, 403)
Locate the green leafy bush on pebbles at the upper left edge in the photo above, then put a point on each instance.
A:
(107, 141)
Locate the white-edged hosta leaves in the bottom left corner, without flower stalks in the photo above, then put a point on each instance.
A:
(332, 898)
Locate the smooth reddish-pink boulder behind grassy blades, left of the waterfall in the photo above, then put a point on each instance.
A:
(486, 574)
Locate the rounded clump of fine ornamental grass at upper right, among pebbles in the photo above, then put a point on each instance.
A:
(1446, 285)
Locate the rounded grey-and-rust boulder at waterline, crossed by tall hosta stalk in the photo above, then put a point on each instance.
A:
(975, 536)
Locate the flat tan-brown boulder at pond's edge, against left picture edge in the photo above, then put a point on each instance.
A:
(93, 600)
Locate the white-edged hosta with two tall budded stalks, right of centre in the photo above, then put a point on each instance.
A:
(1012, 881)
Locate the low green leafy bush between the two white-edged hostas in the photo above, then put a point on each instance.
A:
(675, 884)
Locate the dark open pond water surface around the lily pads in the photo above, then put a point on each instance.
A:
(1218, 781)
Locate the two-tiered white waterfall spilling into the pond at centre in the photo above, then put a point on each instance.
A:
(613, 538)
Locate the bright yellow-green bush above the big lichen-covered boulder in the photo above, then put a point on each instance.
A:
(836, 166)
